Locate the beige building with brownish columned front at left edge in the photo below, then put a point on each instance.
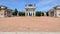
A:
(5, 12)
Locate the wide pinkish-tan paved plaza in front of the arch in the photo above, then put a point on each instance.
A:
(30, 24)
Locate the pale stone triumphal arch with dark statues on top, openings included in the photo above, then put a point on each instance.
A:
(30, 10)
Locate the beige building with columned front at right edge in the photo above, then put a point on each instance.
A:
(55, 12)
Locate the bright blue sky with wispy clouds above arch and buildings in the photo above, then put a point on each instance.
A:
(41, 5)
